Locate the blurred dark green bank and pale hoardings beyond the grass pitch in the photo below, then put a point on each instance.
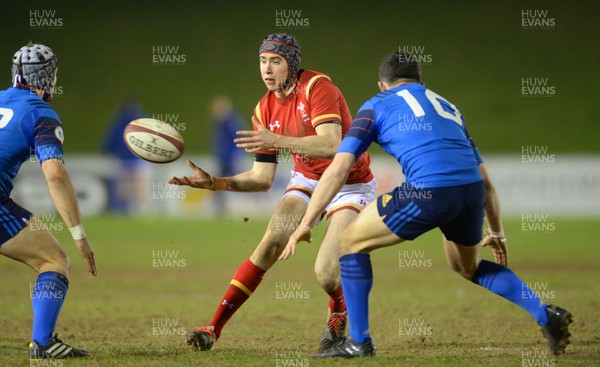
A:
(524, 75)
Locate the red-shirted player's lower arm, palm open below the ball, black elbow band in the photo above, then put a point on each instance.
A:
(259, 178)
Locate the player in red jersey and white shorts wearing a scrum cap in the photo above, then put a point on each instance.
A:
(304, 114)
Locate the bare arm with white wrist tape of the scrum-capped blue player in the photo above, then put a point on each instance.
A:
(64, 198)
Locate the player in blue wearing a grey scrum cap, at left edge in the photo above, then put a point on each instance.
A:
(28, 125)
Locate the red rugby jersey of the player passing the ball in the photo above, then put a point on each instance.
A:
(314, 100)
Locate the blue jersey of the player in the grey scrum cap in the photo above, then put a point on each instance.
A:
(27, 124)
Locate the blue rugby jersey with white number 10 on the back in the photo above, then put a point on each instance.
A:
(422, 130)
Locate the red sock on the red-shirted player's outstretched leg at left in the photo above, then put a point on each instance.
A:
(245, 281)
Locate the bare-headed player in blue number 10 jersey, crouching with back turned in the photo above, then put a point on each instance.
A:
(446, 186)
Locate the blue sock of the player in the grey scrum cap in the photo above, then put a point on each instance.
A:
(47, 299)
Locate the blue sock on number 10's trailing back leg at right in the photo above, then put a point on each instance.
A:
(502, 281)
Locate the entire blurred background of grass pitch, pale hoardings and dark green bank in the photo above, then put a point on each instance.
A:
(524, 74)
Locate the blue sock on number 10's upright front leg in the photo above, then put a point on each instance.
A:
(357, 280)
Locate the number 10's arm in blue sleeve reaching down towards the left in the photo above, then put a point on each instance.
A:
(356, 142)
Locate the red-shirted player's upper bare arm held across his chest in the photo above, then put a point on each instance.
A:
(322, 145)
